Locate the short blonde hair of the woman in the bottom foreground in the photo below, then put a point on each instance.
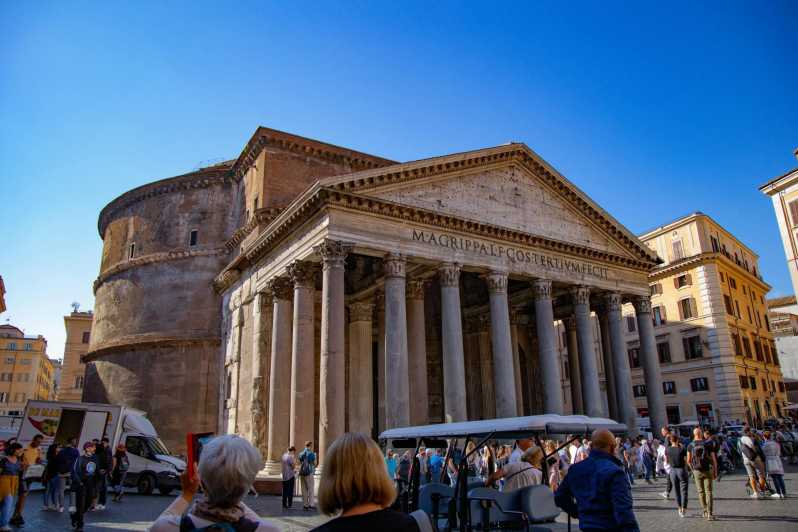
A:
(354, 473)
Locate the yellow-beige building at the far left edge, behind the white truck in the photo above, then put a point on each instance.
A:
(25, 370)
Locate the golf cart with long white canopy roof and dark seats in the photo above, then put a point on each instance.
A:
(467, 507)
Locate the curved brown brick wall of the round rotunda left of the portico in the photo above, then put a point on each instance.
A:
(156, 333)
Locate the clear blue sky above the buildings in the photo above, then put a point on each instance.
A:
(654, 111)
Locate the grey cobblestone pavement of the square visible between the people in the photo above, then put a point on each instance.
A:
(736, 512)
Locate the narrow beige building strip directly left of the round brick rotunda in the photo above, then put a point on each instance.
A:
(78, 329)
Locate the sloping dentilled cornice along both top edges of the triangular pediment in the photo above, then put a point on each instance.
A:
(514, 153)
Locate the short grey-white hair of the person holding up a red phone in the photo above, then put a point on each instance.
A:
(227, 468)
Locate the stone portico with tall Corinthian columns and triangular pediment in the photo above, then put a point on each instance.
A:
(430, 292)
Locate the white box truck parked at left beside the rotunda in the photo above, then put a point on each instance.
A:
(151, 465)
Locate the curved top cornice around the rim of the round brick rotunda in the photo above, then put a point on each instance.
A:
(203, 178)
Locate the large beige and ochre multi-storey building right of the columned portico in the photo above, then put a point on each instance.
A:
(714, 340)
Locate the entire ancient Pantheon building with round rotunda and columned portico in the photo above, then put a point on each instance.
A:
(304, 289)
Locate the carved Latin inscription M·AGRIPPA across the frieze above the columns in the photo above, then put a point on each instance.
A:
(513, 254)
